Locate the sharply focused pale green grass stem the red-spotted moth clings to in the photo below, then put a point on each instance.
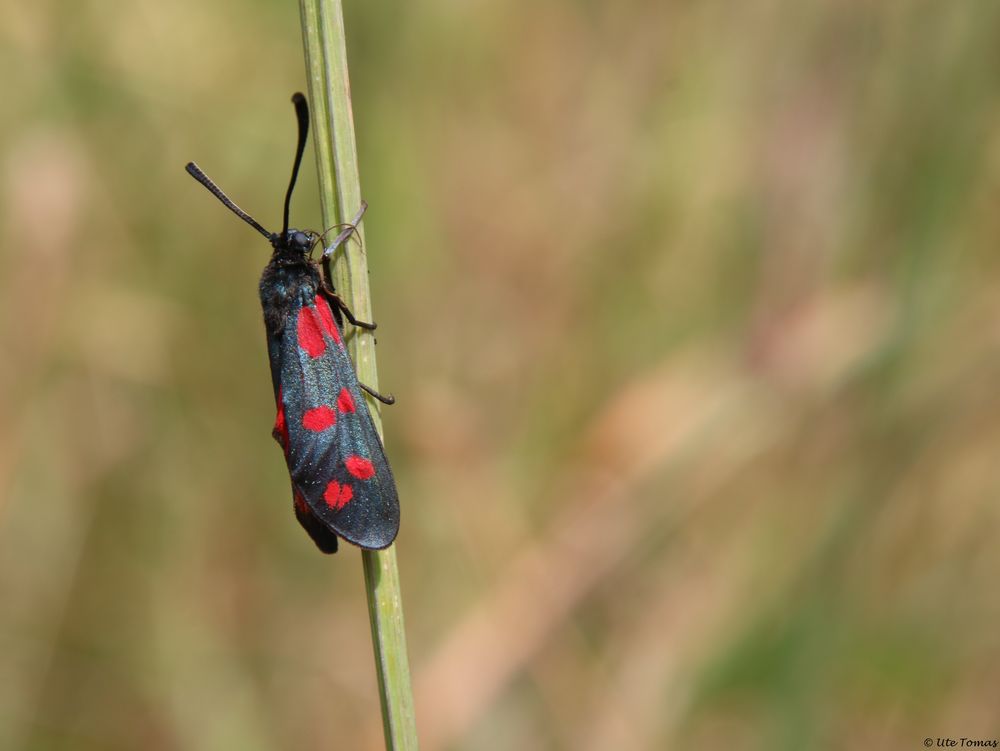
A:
(340, 192)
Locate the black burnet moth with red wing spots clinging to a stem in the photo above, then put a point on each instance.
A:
(341, 482)
